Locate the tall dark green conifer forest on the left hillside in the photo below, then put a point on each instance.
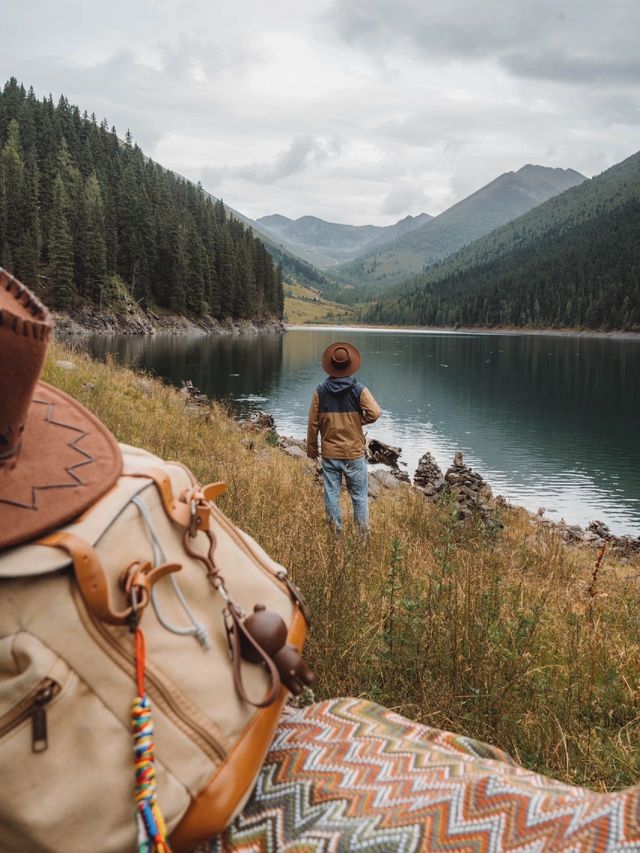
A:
(85, 217)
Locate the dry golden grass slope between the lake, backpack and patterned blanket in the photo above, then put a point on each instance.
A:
(493, 633)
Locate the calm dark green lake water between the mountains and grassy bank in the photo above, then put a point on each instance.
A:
(547, 420)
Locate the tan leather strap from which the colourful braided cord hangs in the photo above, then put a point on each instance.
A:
(92, 580)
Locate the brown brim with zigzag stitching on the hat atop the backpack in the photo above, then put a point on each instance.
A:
(67, 460)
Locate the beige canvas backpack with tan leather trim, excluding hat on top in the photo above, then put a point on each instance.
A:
(67, 674)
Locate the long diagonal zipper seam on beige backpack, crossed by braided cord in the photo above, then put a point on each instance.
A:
(158, 691)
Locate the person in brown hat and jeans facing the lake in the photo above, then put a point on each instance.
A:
(339, 408)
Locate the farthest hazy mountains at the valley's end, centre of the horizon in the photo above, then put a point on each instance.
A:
(326, 244)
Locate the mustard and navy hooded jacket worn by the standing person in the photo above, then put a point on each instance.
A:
(339, 408)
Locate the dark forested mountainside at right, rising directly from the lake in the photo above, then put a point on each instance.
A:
(573, 261)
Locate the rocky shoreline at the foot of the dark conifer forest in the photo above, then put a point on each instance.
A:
(133, 321)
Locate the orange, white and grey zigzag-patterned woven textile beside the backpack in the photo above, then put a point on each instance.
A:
(349, 775)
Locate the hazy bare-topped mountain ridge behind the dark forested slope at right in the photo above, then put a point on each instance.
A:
(508, 196)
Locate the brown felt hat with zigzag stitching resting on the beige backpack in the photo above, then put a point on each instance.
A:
(56, 458)
